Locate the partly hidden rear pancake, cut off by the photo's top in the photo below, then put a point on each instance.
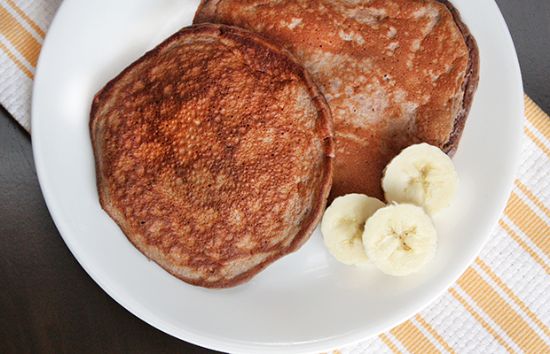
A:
(394, 72)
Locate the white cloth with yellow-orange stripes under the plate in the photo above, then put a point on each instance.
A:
(500, 304)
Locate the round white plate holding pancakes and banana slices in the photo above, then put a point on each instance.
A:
(305, 301)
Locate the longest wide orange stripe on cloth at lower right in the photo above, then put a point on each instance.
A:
(501, 312)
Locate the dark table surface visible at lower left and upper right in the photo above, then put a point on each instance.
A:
(48, 304)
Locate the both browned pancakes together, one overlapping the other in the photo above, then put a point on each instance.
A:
(216, 152)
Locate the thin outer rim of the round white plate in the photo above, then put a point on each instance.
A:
(354, 337)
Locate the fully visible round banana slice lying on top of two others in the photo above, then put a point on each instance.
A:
(400, 239)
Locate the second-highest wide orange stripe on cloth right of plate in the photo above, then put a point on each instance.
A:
(530, 223)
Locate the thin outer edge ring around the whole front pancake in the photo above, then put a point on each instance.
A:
(324, 125)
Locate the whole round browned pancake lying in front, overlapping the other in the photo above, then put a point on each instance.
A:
(213, 154)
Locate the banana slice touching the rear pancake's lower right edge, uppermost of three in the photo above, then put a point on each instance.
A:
(423, 175)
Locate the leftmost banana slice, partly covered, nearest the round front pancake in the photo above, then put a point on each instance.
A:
(342, 227)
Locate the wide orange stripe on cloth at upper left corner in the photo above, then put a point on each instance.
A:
(21, 39)
